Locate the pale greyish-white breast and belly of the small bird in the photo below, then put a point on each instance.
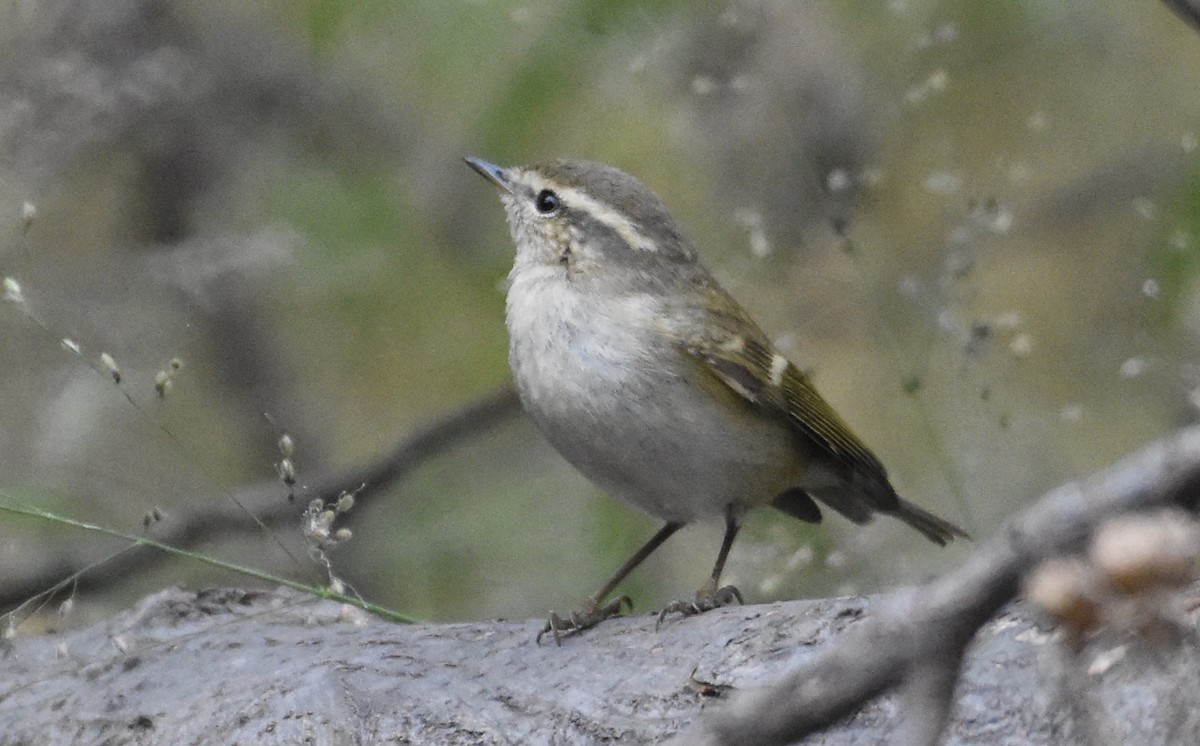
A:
(607, 387)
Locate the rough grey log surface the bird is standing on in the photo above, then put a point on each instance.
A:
(273, 666)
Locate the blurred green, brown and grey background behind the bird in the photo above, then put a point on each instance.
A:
(975, 224)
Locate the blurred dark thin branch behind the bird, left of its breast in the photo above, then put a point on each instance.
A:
(268, 502)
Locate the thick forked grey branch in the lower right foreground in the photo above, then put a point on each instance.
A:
(915, 643)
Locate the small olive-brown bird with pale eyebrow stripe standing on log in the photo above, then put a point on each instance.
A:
(655, 383)
